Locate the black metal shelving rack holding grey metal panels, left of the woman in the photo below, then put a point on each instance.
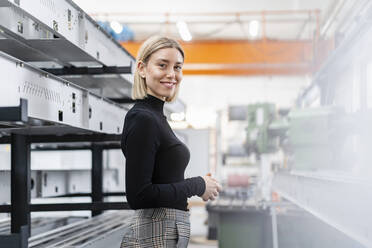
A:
(63, 79)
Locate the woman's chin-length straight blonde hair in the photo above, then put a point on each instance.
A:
(150, 46)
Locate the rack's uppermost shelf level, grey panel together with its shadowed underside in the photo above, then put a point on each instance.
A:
(61, 35)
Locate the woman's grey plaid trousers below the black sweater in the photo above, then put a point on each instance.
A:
(158, 228)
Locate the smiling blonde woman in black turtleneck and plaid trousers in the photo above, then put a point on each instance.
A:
(155, 158)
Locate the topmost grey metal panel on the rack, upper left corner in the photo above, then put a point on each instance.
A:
(52, 19)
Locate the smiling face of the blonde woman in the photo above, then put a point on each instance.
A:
(162, 72)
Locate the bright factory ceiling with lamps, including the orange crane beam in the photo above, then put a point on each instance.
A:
(235, 37)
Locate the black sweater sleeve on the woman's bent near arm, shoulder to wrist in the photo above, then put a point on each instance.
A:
(140, 143)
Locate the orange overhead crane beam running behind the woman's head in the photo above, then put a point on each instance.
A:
(263, 57)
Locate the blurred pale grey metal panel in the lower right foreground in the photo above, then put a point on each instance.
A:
(341, 201)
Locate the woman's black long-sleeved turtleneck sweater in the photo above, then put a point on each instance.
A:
(155, 160)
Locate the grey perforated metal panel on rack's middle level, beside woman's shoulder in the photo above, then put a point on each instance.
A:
(50, 98)
